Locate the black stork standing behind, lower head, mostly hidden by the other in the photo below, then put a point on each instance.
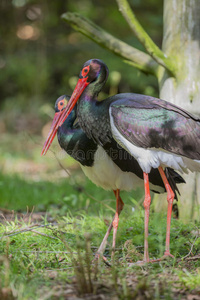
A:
(109, 166)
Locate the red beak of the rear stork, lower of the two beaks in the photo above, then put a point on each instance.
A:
(52, 132)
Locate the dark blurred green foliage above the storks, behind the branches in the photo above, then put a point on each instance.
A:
(37, 62)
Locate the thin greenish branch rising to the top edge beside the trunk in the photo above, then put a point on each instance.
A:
(157, 54)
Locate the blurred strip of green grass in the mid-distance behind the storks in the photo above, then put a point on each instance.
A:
(75, 193)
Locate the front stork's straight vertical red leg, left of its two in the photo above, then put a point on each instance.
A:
(147, 202)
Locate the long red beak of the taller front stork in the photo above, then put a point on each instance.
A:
(81, 85)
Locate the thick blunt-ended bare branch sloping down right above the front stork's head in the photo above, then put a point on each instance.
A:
(133, 56)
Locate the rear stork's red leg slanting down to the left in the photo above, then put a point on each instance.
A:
(103, 243)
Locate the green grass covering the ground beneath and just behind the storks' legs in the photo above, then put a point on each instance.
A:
(51, 259)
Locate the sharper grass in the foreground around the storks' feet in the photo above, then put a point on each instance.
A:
(34, 254)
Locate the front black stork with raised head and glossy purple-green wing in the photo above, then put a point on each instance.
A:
(155, 132)
